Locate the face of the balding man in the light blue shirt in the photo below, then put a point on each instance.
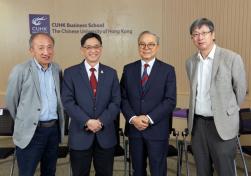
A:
(42, 50)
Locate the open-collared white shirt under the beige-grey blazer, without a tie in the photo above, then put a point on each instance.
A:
(203, 101)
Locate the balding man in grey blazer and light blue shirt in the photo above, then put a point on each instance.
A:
(33, 99)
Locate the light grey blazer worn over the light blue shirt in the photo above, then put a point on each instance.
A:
(23, 100)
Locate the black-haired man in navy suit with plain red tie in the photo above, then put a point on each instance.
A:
(91, 97)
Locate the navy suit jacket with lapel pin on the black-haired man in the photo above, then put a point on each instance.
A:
(80, 104)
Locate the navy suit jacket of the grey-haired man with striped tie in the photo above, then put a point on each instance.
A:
(158, 102)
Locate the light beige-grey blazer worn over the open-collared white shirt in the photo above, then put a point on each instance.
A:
(227, 91)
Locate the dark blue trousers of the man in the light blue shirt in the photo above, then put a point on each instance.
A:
(43, 148)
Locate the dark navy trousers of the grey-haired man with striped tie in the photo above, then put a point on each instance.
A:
(155, 150)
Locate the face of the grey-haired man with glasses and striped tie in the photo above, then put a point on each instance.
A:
(148, 47)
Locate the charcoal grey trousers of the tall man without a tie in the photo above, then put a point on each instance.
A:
(210, 150)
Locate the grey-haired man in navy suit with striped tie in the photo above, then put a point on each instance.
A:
(148, 88)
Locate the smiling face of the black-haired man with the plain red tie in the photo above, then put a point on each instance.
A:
(92, 50)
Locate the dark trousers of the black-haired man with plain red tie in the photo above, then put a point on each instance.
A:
(102, 160)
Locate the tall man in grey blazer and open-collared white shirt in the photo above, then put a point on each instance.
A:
(217, 88)
